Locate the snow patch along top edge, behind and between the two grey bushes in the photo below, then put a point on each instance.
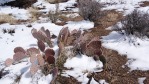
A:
(125, 6)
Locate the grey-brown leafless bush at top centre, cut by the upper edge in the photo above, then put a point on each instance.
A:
(89, 9)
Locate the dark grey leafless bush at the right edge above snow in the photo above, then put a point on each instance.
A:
(136, 24)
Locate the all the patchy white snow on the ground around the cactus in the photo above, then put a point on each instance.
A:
(138, 54)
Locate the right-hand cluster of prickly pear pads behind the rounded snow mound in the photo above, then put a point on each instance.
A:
(82, 44)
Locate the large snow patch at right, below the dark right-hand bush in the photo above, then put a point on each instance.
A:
(134, 48)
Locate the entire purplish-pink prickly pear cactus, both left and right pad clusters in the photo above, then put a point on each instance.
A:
(43, 57)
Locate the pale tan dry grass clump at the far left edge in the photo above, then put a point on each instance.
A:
(6, 18)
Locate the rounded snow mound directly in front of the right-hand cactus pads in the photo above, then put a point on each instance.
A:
(82, 65)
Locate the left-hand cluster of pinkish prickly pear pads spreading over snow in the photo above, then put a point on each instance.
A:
(40, 58)
